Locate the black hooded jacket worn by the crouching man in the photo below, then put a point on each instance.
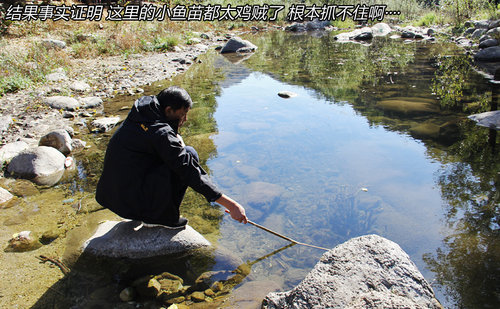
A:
(145, 168)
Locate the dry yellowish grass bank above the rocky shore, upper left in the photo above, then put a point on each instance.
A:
(24, 62)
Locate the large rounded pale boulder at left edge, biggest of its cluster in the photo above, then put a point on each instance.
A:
(42, 165)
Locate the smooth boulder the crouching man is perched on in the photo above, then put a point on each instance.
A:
(127, 239)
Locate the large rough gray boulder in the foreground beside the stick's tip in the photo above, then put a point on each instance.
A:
(364, 272)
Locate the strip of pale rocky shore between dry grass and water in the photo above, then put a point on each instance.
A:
(67, 97)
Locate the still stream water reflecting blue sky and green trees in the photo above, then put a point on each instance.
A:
(334, 162)
